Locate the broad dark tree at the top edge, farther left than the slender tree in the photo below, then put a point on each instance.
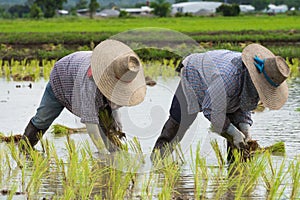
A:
(50, 6)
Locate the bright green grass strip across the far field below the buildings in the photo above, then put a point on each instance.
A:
(186, 24)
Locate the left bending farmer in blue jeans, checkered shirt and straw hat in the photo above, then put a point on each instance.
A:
(87, 82)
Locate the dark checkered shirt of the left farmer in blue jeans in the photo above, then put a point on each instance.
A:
(74, 88)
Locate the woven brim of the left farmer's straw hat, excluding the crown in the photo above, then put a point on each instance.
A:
(116, 91)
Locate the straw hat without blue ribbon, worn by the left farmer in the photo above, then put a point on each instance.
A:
(118, 73)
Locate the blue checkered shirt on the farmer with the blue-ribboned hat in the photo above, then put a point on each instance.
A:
(212, 83)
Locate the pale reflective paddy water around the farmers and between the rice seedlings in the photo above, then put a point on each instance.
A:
(18, 103)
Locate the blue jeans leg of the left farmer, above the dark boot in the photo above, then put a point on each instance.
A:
(48, 110)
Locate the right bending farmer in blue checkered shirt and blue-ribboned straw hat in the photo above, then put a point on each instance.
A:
(225, 86)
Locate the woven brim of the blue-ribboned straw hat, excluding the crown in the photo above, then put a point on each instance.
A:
(271, 97)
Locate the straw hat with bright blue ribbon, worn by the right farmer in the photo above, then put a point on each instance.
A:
(268, 74)
